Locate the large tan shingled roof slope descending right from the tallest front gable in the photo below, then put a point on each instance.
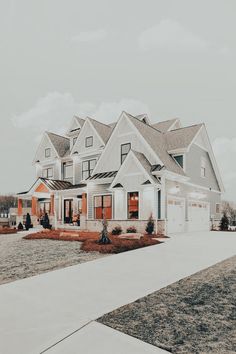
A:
(157, 142)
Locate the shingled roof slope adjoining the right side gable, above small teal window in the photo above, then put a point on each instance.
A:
(181, 138)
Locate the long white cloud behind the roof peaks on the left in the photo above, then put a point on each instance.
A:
(54, 112)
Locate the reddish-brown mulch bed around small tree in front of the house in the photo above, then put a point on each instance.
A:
(90, 240)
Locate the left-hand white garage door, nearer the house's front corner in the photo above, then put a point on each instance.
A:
(175, 215)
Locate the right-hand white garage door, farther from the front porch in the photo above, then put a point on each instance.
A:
(198, 216)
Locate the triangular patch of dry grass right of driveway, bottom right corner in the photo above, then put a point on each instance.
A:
(194, 315)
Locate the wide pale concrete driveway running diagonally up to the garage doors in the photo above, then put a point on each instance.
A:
(40, 311)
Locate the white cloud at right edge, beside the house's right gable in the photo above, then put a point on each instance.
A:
(225, 152)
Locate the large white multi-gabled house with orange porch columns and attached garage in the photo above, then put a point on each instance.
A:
(126, 171)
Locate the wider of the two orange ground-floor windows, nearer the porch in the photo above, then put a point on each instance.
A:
(103, 207)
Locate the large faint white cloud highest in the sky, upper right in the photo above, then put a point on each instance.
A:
(170, 35)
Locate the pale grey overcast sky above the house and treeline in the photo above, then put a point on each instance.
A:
(64, 57)
